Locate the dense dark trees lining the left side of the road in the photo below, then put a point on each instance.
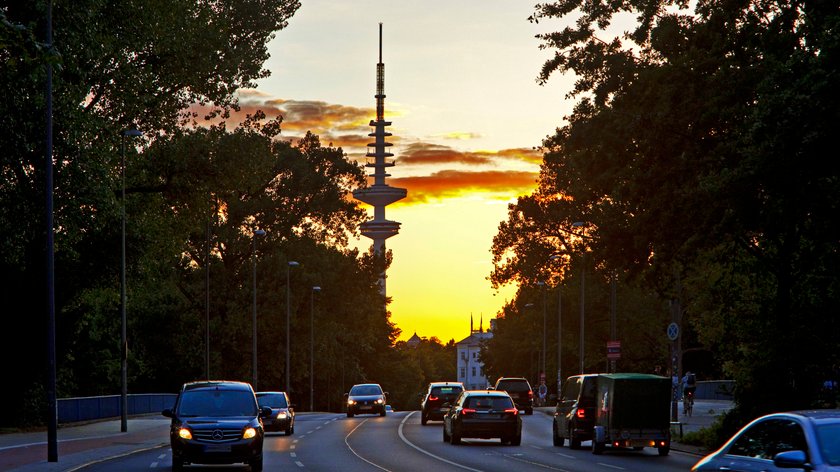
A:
(195, 197)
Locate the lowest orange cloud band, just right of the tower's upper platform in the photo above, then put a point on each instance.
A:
(453, 183)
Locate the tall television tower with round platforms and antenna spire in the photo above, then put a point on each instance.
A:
(379, 195)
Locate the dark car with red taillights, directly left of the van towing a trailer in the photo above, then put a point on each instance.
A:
(483, 414)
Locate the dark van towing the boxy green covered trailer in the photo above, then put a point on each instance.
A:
(574, 416)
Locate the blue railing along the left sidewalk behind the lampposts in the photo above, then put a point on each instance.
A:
(71, 410)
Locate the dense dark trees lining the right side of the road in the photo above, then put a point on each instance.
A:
(699, 156)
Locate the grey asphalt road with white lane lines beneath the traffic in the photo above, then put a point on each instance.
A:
(398, 443)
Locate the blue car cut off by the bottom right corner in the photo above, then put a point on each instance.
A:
(794, 440)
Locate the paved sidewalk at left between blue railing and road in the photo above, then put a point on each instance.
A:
(80, 445)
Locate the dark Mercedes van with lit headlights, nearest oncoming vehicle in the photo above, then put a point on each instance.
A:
(216, 422)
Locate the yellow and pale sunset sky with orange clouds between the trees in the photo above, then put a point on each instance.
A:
(466, 111)
